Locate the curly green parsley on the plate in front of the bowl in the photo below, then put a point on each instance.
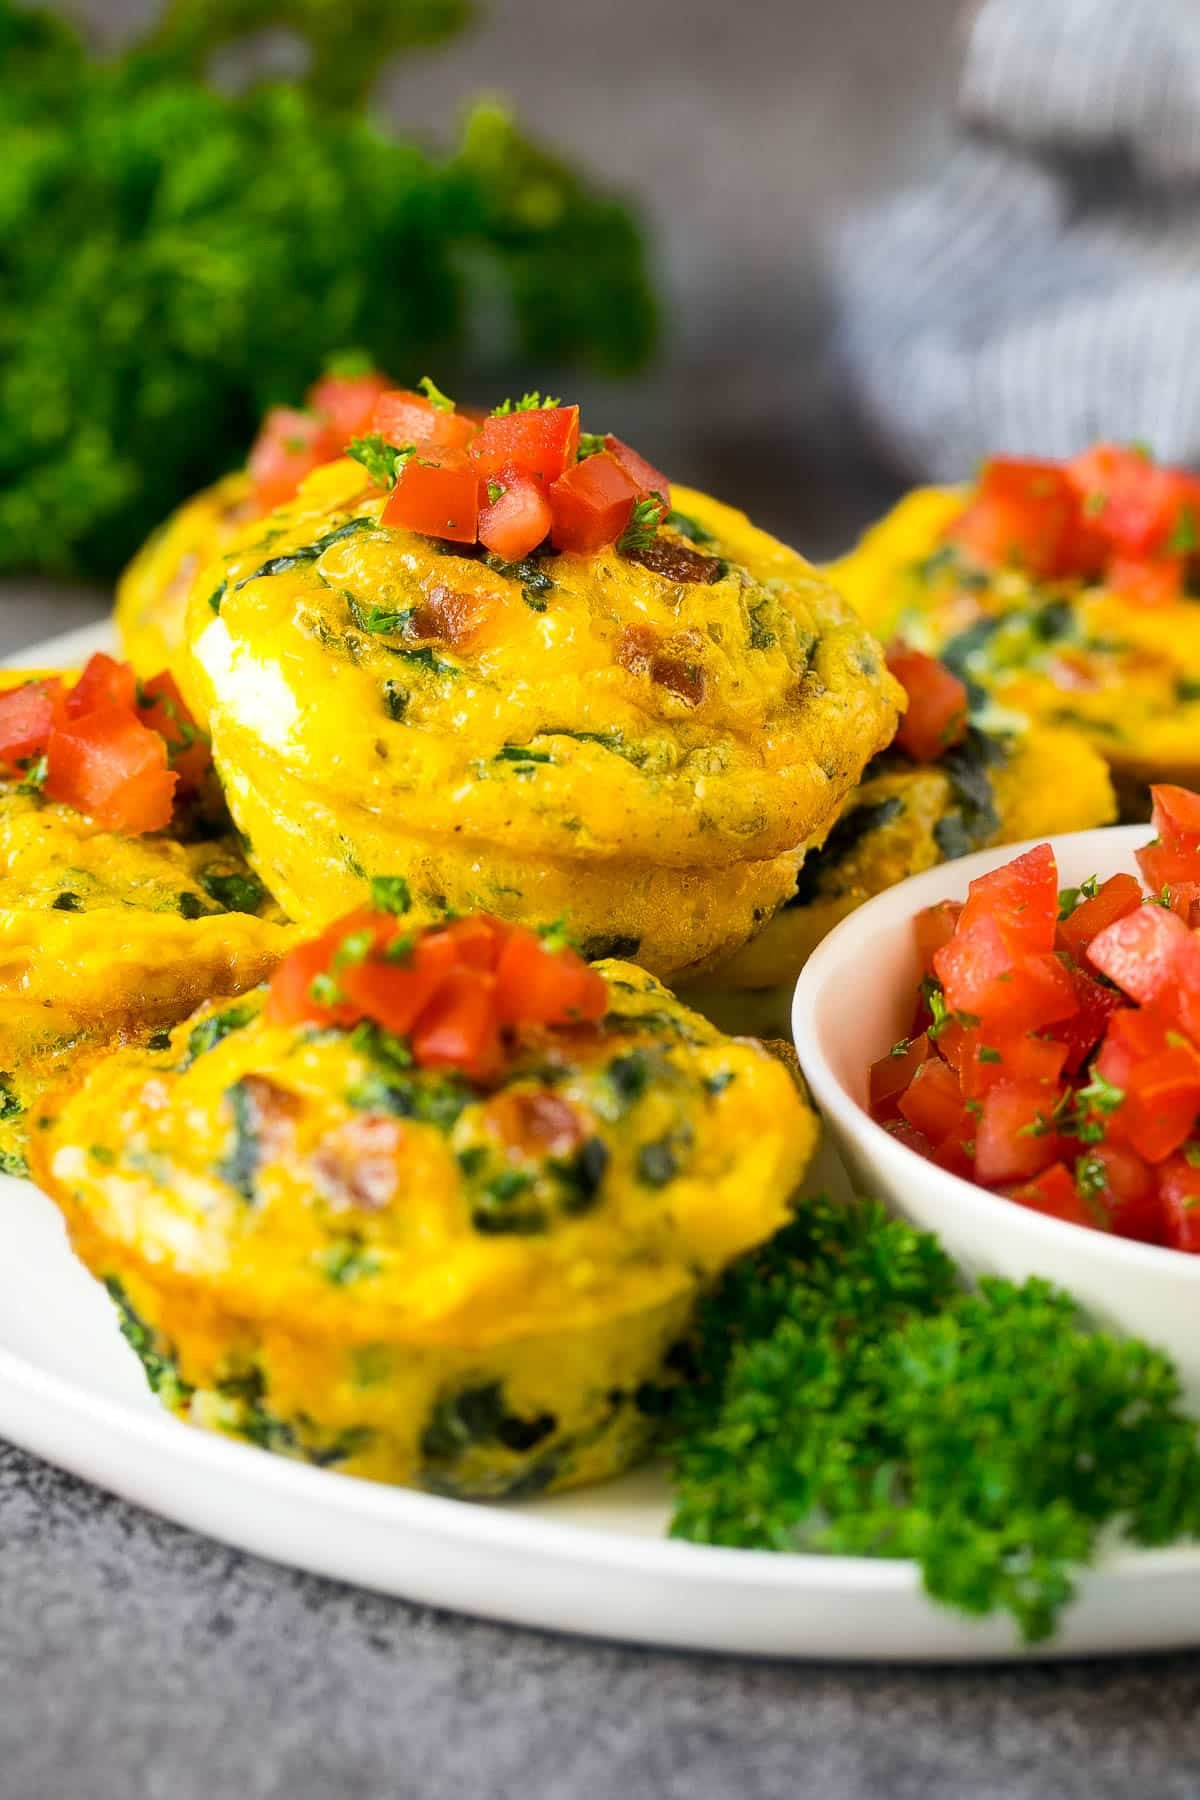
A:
(852, 1398)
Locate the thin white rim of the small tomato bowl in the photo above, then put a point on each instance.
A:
(891, 908)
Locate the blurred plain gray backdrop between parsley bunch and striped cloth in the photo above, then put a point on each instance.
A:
(748, 132)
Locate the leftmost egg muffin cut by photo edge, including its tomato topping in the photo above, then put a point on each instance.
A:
(120, 913)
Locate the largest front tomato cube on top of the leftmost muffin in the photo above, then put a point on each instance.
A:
(114, 769)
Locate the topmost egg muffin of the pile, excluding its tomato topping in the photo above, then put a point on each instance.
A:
(638, 741)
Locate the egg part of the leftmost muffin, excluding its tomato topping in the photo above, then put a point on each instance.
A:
(107, 937)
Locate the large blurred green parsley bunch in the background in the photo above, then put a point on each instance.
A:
(175, 260)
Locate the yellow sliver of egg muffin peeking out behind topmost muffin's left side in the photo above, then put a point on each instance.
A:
(152, 595)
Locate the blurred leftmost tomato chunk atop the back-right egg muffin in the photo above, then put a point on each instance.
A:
(1025, 514)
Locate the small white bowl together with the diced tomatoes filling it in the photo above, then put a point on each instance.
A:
(1008, 1050)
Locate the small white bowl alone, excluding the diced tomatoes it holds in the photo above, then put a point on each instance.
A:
(855, 1000)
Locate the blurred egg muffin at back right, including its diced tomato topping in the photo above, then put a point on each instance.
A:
(1064, 593)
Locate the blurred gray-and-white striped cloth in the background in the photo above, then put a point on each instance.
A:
(1043, 287)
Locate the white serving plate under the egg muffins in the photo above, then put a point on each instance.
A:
(593, 1563)
